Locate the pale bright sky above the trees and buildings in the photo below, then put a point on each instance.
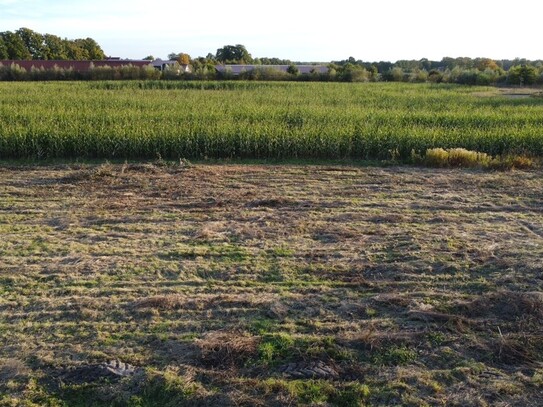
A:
(309, 31)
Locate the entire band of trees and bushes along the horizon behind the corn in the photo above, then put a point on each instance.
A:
(25, 44)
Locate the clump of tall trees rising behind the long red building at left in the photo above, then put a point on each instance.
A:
(25, 44)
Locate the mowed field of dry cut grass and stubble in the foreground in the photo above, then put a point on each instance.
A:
(154, 284)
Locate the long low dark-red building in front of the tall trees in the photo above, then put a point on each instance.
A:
(78, 66)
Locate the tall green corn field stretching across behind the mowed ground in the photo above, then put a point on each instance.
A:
(196, 120)
